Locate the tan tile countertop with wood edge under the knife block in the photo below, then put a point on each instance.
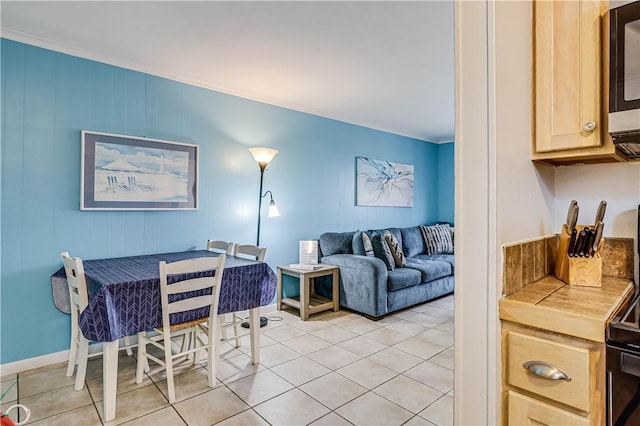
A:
(553, 305)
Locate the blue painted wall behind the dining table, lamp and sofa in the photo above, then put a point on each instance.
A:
(48, 98)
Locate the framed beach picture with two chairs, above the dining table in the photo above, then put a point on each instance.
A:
(133, 173)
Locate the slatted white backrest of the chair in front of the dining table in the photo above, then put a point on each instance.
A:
(188, 267)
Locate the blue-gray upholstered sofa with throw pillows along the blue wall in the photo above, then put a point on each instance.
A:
(368, 287)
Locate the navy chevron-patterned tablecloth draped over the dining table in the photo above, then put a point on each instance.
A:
(124, 293)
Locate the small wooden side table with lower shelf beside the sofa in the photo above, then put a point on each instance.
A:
(309, 302)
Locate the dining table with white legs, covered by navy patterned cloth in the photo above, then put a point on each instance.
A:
(124, 299)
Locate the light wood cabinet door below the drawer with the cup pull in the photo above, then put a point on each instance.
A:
(528, 411)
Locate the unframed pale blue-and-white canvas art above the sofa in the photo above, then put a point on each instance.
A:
(383, 183)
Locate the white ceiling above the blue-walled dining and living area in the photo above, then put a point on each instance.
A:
(387, 65)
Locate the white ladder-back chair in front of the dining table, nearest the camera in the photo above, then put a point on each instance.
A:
(168, 331)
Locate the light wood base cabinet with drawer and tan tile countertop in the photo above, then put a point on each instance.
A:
(553, 351)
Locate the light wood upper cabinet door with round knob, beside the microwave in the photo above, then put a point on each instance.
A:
(567, 75)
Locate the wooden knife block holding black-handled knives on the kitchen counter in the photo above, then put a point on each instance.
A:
(580, 271)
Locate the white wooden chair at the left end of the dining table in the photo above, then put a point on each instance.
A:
(79, 299)
